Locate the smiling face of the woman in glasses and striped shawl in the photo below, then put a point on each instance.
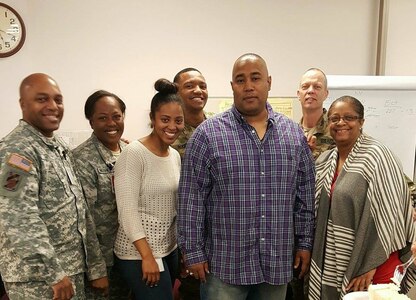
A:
(345, 133)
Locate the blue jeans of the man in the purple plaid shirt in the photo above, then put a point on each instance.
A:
(215, 289)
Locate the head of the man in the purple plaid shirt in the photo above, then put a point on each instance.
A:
(251, 85)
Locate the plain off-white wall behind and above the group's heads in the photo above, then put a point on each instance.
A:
(124, 46)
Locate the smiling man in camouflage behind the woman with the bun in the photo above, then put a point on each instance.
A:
(194, 93)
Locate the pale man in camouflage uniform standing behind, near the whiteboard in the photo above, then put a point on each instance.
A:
(312, 92)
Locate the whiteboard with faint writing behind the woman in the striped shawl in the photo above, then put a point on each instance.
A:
(389, 110)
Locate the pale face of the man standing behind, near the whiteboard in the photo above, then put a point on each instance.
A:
(312, 90)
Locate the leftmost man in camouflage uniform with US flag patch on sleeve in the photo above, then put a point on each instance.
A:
(47, 238)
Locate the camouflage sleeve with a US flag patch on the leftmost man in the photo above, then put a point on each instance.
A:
(28, 240)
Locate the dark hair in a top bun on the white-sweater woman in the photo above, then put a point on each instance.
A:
(167, 92)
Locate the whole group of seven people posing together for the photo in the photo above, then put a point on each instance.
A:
(254, 200)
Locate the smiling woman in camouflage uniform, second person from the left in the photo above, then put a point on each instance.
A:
(95, 164)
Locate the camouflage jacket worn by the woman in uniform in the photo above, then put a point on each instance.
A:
(95, 165)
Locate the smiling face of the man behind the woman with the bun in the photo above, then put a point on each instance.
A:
(193, 91)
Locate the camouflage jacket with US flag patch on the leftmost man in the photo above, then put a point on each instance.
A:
(46, 231)
